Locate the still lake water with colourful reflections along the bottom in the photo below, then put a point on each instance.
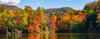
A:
(53, 36)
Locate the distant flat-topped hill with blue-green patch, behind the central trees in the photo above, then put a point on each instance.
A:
(59, 10)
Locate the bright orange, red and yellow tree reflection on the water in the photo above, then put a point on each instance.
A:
(41, 36)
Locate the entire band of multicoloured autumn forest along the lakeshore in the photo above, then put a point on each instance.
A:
(30, 21)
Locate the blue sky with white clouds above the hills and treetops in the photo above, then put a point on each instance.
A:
(46, 4)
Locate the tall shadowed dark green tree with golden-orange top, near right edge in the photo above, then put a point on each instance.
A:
(91, 16)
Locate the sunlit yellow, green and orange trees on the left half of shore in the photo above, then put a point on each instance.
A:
(26, 20)
